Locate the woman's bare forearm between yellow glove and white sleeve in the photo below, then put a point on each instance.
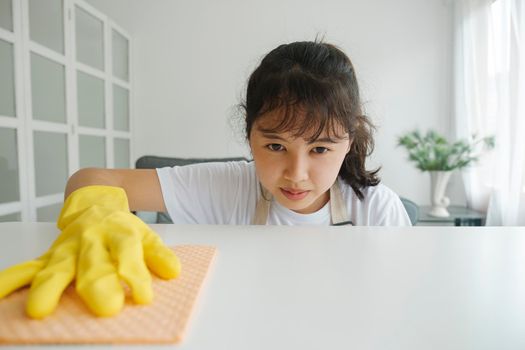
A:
(141, 185)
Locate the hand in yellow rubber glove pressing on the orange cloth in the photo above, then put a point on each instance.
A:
(101, 243)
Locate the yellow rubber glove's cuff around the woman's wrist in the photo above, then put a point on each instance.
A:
(109, 197)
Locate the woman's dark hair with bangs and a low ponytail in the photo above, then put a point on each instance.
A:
(318, 81)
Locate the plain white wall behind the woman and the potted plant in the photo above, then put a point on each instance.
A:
(191, 61)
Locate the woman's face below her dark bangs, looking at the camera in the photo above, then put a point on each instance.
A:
(298, 173)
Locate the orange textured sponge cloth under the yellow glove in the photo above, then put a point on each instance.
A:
(163, 321)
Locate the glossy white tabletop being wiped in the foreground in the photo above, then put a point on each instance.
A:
(343, 288)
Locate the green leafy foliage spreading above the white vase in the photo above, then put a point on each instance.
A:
(433, 151)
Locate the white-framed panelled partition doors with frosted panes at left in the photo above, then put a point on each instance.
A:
(70, 105)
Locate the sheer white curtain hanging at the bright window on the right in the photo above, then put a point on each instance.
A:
(489, 96)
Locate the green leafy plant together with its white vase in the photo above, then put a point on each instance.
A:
(434, 153)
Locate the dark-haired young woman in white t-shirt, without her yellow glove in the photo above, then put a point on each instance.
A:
(309, 140)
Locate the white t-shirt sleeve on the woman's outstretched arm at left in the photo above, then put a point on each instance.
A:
(207, 193)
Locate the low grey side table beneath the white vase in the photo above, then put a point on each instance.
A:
(459, 216)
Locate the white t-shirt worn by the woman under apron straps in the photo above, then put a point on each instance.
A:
(227, 193)
